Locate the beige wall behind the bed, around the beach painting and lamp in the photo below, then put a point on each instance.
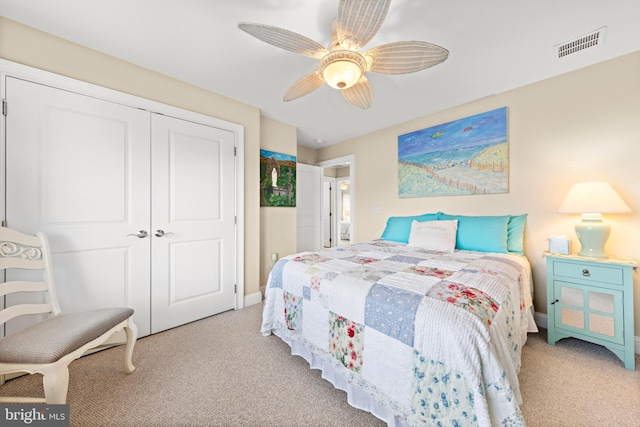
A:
(581, 126)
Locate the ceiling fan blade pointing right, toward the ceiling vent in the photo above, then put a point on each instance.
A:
(405, 57)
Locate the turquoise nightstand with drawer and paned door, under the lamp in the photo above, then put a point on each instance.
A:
(592, 299)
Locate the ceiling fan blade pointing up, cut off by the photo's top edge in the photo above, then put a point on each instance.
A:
(359, 21)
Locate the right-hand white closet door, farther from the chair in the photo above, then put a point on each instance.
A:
(193, 263)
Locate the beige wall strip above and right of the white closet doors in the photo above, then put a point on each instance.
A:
(25, 45)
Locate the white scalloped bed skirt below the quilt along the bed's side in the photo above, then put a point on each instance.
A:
(355, 396)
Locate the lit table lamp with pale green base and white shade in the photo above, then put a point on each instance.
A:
(592, 199)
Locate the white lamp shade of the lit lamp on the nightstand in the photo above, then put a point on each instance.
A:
(593, 197)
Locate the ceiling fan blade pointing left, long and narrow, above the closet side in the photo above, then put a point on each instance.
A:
(284, 39)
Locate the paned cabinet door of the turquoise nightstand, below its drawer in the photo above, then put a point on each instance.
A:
(596, 311)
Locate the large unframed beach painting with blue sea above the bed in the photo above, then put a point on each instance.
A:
(462, 157)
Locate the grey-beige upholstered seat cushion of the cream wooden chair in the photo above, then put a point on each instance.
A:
(50, 340)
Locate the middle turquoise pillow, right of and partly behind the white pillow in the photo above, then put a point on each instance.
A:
(481, 233)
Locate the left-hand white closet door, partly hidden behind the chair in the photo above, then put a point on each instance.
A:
(77, 168)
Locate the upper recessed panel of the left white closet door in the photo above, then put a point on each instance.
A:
(77, 146)
